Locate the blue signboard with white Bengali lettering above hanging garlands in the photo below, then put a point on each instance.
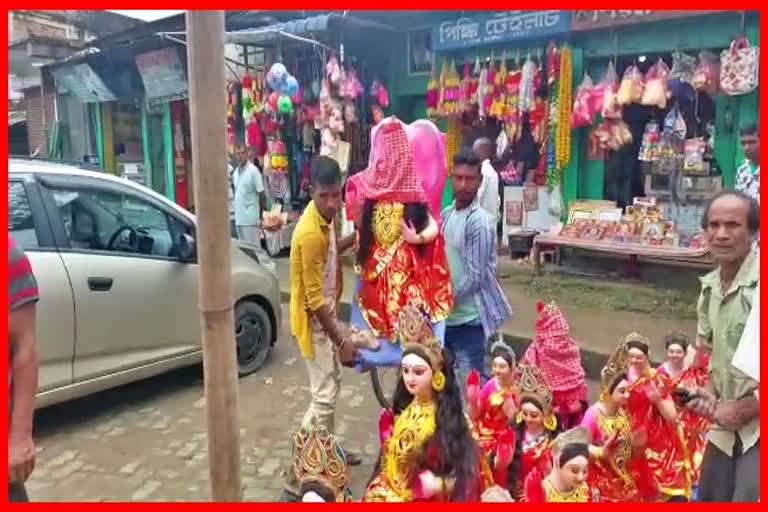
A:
(498, 27)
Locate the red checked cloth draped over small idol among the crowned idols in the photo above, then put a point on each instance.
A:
(557, 355)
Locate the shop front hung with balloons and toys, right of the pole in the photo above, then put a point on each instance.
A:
(317, 89)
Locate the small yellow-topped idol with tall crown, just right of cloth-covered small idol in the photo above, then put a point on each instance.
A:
(618, 471)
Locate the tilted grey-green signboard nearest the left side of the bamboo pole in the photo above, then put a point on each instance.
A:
(163, 75)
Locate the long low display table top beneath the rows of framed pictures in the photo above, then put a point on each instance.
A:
(679, 255)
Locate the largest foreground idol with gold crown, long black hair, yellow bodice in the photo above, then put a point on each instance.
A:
(428, 452)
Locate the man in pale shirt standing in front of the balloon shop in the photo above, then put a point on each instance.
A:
(250, 197)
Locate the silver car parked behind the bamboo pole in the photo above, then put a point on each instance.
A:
(117, 270)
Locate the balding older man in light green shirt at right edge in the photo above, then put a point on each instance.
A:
(731, 466)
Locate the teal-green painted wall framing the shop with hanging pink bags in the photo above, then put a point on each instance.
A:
(712, 32)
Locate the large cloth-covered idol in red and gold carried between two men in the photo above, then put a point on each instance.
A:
(400, 251)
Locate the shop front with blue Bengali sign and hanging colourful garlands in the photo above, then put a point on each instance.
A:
(507, 76)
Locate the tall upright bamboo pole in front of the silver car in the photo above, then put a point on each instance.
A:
(208, 116)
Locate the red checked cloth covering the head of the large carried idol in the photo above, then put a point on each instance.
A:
(391, 177)
